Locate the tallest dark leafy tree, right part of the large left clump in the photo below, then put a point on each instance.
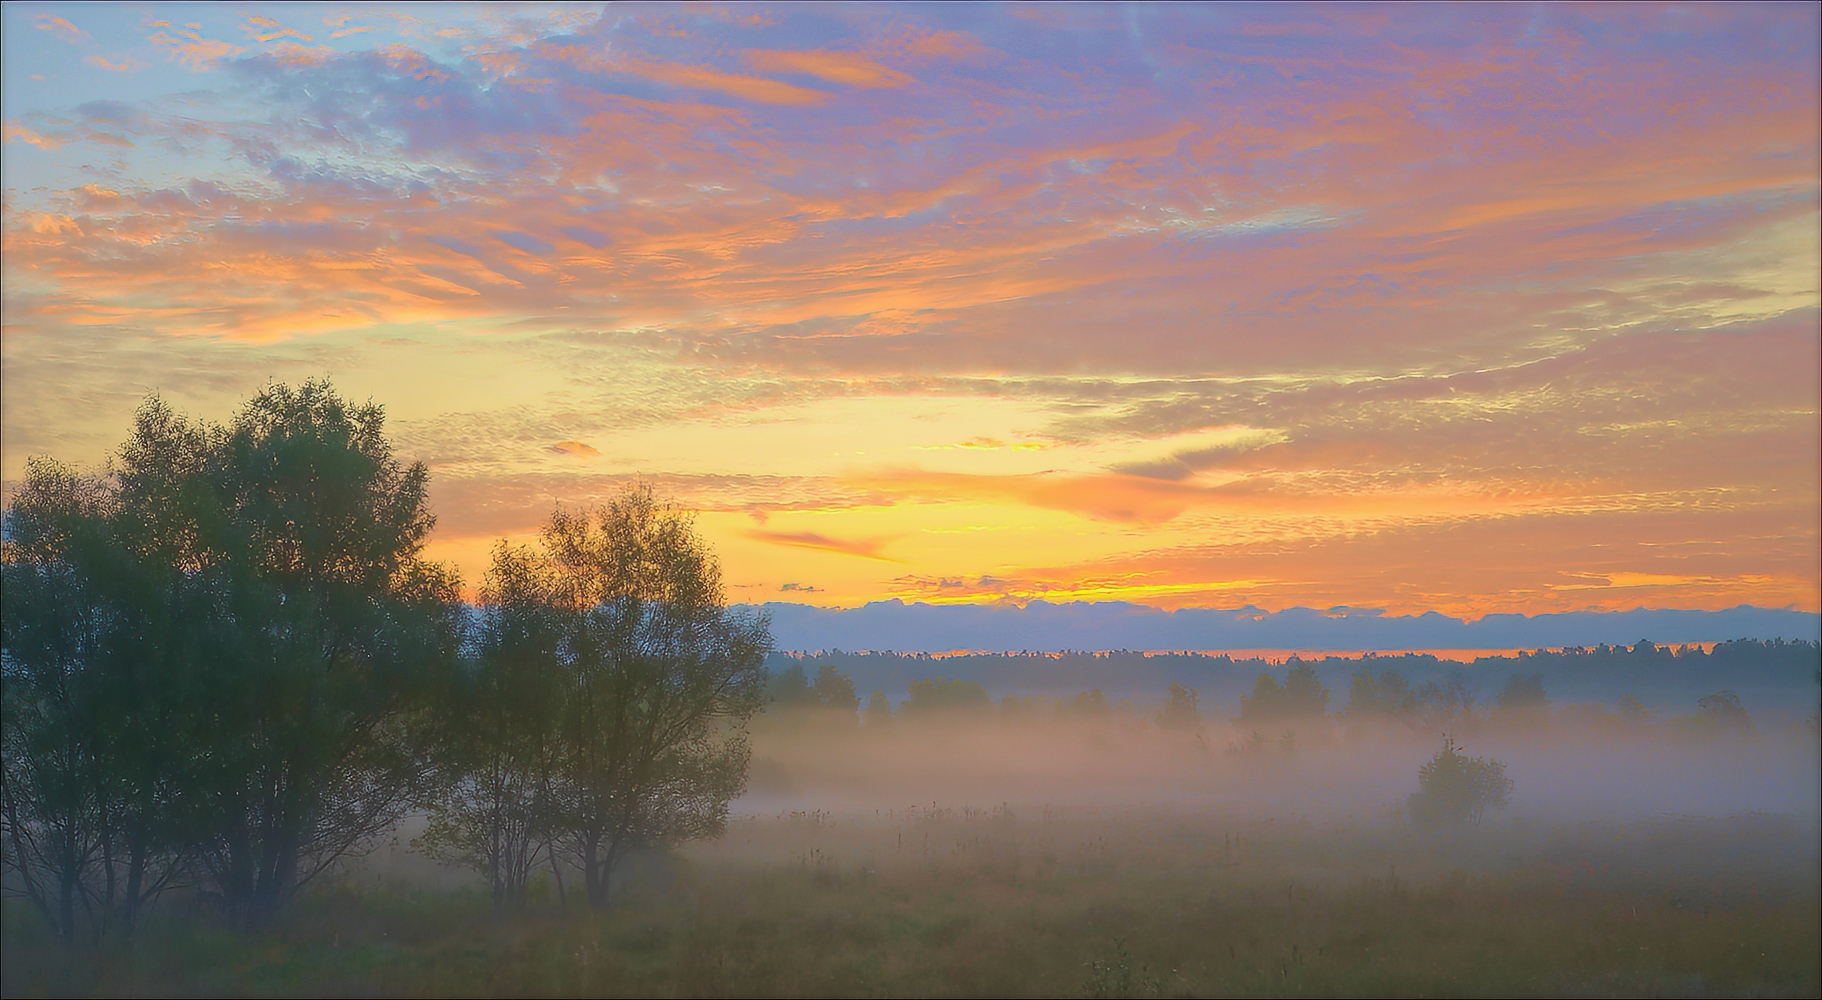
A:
(338, 635)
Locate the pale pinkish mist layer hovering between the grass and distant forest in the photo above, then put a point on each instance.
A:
(1577, 768)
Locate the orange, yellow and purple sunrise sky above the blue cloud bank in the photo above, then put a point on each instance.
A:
(1435, 309)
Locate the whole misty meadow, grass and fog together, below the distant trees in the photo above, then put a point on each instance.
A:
(1138, 864)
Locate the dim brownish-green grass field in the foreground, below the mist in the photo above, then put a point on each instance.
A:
(1043, 901)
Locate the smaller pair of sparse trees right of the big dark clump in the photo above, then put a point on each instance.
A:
(620, 684)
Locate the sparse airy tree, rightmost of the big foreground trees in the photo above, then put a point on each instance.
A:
(659, 680)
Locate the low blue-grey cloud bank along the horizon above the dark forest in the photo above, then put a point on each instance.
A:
(1109, 626)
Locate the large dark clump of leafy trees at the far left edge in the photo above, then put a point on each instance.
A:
(216, 655)
